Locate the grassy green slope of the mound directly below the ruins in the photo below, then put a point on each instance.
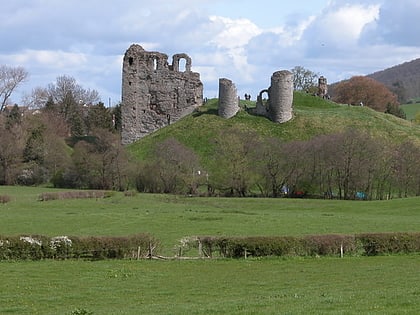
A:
(312, 116)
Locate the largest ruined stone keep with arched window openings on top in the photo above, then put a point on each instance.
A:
(154, 93)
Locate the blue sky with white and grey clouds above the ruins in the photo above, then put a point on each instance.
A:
(241, 40)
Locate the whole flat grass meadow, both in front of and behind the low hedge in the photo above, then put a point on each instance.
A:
(326, 285)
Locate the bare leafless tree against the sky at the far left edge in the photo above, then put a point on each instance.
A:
(10, 78)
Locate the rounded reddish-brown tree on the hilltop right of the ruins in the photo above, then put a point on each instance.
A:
(366, 91)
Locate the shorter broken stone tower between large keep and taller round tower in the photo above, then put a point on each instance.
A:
(228, 99)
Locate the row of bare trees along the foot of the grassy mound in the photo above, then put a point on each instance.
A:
(348, 165)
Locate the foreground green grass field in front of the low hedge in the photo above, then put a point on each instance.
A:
(368, 285)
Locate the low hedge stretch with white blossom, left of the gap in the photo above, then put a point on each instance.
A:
(36, 247)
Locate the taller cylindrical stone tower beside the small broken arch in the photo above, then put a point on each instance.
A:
(281, 96)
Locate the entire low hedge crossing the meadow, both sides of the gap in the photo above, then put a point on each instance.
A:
(140, 246)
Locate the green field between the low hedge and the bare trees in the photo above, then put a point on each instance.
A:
(170, 217)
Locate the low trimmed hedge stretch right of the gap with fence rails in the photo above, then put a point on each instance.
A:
(366, 244)
